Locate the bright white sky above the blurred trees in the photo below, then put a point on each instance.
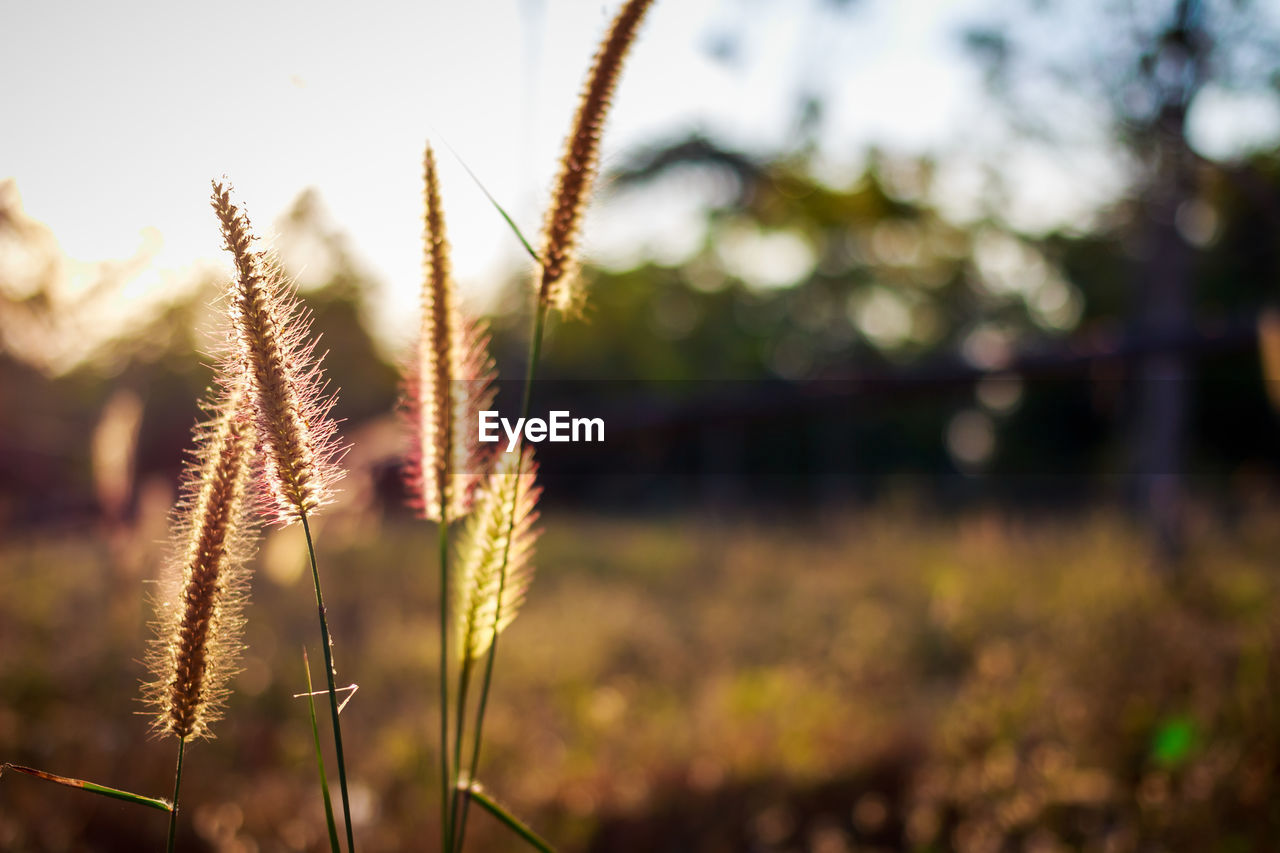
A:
(118, 115)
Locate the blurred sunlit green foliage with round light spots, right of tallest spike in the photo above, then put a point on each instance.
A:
(794, 279)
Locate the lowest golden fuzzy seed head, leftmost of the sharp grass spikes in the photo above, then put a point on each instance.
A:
(199, 618)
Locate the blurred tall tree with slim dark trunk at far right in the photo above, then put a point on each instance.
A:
(1142, 71)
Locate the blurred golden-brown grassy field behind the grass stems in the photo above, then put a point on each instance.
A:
(879, 682)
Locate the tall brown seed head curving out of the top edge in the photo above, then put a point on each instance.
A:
(580, 162)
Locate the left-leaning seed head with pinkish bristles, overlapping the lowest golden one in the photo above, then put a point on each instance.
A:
(286, 386)
